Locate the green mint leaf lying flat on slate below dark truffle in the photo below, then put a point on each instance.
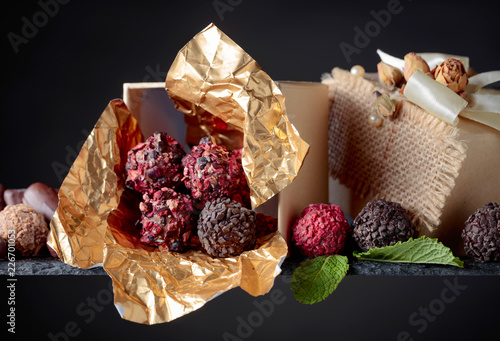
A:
(421, 250)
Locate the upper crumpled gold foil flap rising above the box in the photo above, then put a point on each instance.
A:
(213, 74)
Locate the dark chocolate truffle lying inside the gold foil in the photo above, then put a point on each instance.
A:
(226, 228)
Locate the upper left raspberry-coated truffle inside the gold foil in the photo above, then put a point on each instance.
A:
(155, 163)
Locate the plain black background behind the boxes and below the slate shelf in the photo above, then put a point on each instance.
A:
(69, 67)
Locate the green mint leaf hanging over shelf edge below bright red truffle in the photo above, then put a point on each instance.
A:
(315, 279)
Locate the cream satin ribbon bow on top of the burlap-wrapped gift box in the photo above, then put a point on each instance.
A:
(481, 105)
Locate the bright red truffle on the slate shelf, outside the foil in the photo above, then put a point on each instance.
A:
(322, 229)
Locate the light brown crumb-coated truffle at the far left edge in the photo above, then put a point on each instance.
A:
(29, 228)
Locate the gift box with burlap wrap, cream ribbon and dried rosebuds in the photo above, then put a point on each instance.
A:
(423, 131)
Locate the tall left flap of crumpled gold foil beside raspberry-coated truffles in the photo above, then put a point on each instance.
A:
(93, 187)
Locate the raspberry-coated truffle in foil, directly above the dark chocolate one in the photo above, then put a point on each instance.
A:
(206, 171)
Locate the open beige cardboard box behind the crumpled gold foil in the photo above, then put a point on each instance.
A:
(307, 109)
